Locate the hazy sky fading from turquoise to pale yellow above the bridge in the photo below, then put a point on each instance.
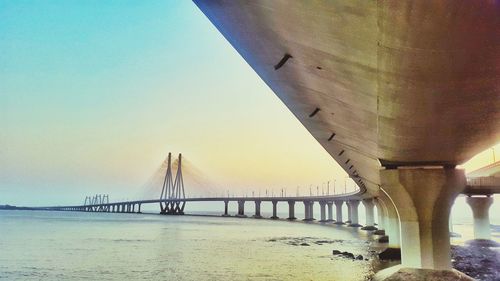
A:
(94, 94)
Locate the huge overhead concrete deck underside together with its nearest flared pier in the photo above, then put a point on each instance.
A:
(382, 85)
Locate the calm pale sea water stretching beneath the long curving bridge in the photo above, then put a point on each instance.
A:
(93, 246)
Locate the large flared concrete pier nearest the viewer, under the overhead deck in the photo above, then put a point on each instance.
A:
(423, 199)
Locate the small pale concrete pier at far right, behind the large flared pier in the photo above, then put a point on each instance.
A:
(480, 210)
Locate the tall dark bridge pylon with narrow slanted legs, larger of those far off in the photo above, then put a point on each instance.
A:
(173, 193)
